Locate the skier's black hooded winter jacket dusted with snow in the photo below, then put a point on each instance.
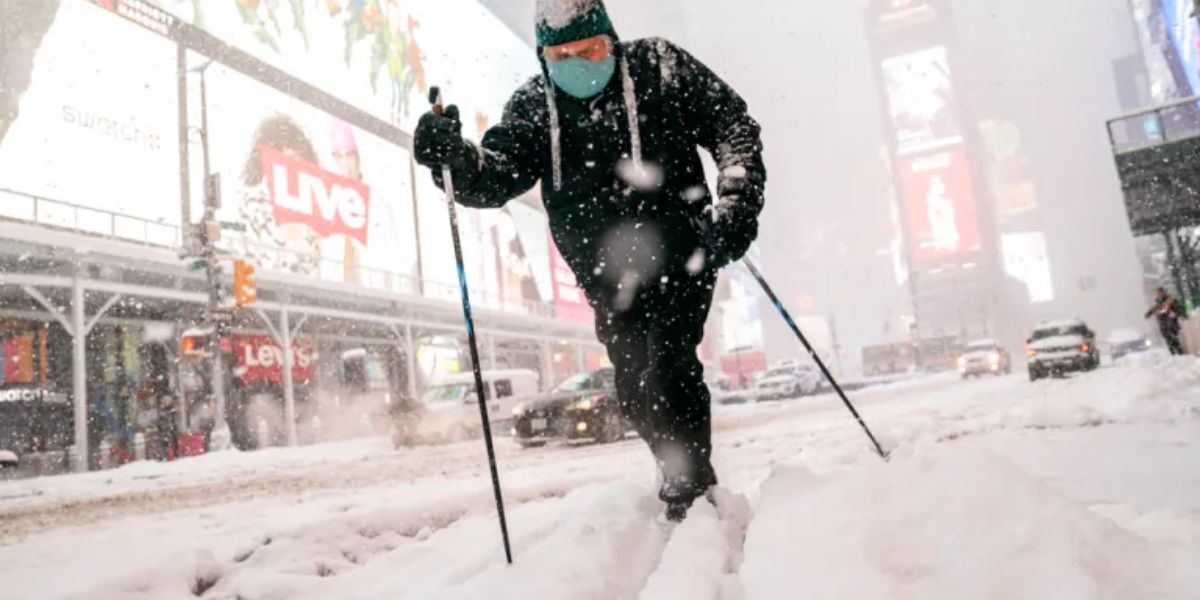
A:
(614, 227)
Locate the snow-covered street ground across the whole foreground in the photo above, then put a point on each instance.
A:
(1078, 489)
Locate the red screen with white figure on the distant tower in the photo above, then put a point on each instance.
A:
(943, 215)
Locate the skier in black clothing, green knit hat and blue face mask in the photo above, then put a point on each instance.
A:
(611, 129)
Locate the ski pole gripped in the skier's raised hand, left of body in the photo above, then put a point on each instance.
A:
(448, 182)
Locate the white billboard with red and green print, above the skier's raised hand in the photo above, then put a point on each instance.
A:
(380, 56)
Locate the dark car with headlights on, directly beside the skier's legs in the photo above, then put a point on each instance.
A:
(584, 407)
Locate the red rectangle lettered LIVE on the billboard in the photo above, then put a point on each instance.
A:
(308, 195)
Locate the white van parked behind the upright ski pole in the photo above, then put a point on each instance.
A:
(451, 407)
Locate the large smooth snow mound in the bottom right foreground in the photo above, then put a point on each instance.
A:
(951, 525)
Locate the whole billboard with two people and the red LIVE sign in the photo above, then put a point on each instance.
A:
(316, 196)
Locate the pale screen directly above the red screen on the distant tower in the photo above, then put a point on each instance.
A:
(921, 100)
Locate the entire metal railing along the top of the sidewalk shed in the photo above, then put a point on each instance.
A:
(115, 226)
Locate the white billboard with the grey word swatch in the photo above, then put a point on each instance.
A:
(98, 129)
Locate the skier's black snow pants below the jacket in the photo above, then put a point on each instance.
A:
(661, 381)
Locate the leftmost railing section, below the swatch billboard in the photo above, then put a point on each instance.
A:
(71, 218)
